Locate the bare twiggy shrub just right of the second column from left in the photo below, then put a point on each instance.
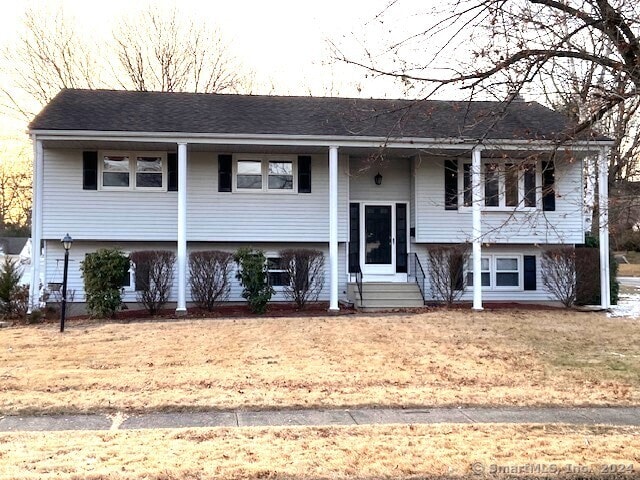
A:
(209, 277)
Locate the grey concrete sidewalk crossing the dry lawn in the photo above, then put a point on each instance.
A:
(620, 416)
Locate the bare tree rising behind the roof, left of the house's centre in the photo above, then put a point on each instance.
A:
(163, 51)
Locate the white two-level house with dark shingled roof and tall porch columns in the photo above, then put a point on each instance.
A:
(371, 183)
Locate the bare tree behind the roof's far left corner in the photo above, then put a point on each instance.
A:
(48, 56)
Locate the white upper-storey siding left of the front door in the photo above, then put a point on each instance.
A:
(211, 215)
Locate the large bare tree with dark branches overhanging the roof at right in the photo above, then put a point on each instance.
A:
(514, 45)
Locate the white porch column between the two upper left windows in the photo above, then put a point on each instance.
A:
(181, 307)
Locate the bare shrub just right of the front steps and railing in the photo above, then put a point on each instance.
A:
(446, 264)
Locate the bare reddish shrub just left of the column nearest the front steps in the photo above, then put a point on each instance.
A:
(305, 270)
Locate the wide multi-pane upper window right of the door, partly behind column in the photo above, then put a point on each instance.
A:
(505, 185)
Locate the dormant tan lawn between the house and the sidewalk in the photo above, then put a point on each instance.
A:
(438, 358)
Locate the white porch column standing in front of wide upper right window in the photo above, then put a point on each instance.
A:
(476, 198)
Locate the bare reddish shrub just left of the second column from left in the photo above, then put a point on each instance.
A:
(154, 277)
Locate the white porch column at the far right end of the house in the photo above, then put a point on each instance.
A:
(603, 218)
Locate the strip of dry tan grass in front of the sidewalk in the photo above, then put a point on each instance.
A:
(384, 451)
